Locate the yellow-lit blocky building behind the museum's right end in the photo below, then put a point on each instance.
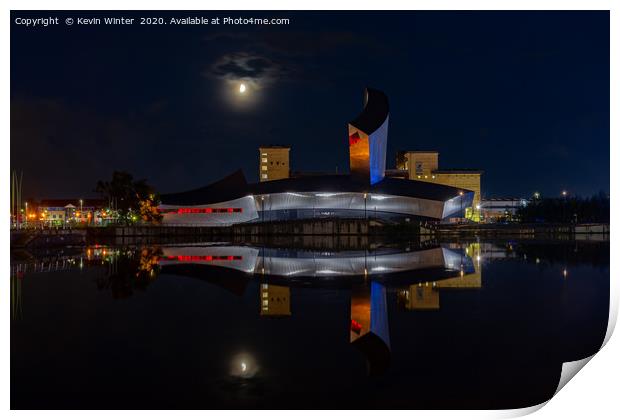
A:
(424, 166)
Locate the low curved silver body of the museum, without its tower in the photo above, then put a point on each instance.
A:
(324, 197)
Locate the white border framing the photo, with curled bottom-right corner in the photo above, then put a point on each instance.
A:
(593, 394)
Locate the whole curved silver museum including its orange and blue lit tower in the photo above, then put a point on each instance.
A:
(365, 193)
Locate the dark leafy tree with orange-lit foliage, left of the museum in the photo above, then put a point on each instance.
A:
(132, 199)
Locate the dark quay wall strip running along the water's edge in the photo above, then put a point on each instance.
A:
(327, 233)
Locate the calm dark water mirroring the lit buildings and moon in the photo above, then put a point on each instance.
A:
(444, 325)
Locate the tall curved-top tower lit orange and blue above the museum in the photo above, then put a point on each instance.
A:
(368, 138)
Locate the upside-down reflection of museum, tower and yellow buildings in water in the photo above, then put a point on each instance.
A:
(437, 267)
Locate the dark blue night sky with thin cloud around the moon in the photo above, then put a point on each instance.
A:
(523, 96)
